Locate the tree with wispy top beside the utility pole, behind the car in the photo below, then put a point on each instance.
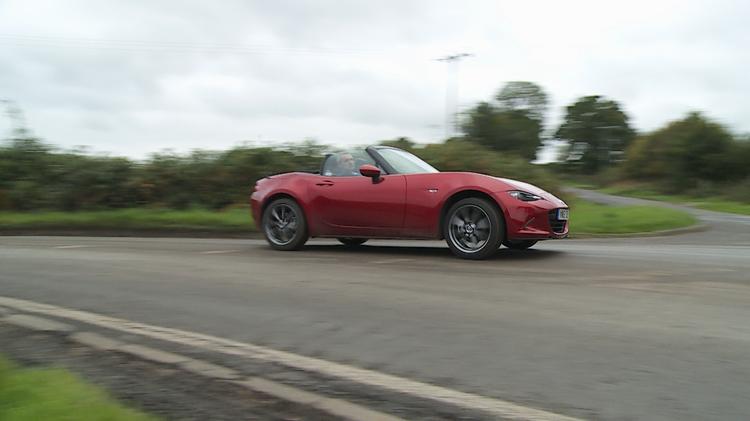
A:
(513, 123)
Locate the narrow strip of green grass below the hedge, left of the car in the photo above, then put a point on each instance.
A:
(238, 219)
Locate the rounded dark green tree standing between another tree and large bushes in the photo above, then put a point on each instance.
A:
(597, 132)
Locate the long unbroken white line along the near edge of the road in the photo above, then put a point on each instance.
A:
(397, 384)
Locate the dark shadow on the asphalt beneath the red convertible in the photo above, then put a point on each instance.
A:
(414, 251)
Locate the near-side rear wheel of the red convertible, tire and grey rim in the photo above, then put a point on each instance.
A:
(284, 225)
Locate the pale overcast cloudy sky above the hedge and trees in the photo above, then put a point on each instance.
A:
(135, 77)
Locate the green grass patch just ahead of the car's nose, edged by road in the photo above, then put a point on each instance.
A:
(592, 218)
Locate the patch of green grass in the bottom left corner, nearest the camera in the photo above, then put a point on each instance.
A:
(56, 394)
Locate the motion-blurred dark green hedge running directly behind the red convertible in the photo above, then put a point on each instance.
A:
(35, 176)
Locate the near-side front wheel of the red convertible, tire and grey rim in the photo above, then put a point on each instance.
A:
(473, 228)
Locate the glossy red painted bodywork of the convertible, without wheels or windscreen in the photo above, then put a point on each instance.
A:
(405, 205)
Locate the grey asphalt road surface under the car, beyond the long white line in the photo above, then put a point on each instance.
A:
(616, 329)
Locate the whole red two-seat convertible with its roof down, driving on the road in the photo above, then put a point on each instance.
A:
(384, 192)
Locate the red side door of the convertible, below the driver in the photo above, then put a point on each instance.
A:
(359, 205)
